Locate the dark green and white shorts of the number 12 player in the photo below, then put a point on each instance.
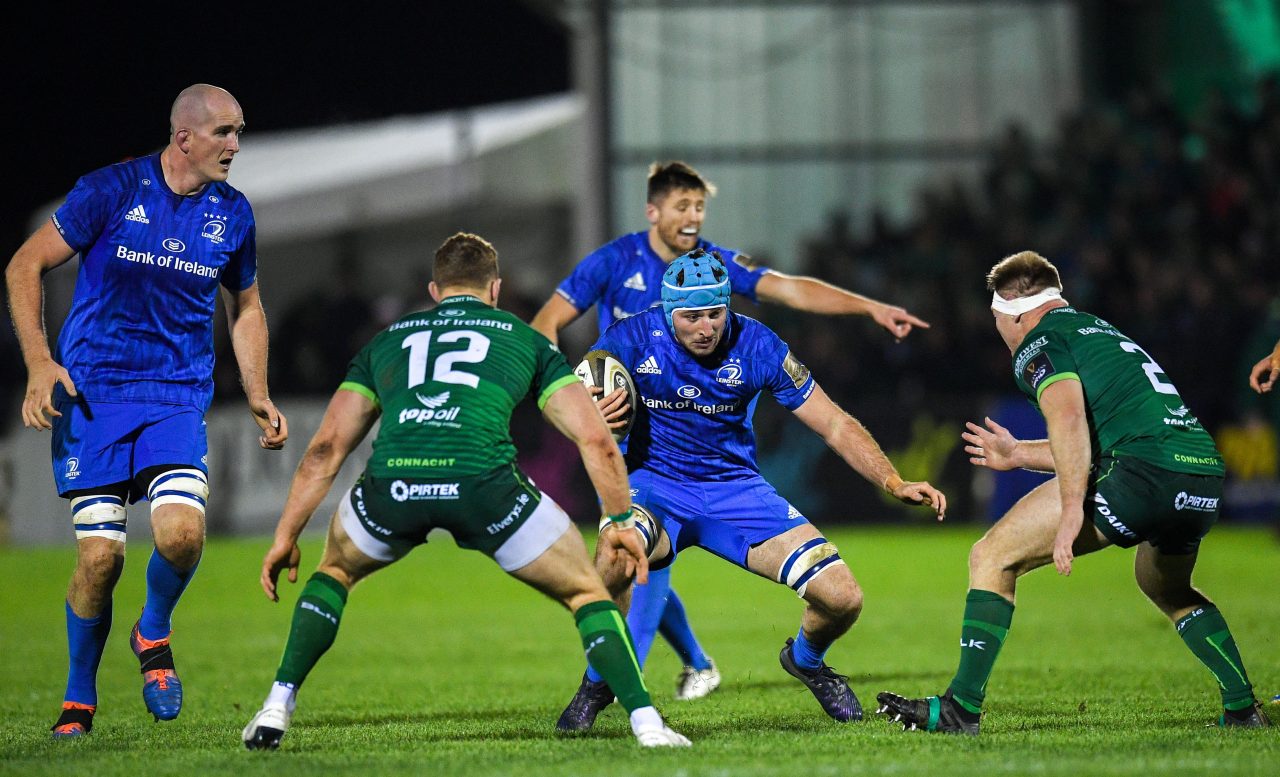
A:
(501, 514)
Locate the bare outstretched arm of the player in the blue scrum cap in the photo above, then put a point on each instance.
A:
(851, 440)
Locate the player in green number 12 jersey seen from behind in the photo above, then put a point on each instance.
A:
(445, 383)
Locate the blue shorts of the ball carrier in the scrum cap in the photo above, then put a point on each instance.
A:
(726, 518)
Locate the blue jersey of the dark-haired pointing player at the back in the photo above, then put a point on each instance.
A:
(625, 277)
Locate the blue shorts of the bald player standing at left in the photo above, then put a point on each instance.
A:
(104, 444)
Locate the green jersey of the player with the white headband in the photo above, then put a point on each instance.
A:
(1133, 410)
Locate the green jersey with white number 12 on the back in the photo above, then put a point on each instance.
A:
(447, 381)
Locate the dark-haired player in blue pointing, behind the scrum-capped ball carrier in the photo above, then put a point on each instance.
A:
(623, 278)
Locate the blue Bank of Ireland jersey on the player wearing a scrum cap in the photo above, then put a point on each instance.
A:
(697, 418)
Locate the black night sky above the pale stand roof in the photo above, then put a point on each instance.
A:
(92, 88)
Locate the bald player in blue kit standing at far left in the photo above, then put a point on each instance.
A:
(127, 390)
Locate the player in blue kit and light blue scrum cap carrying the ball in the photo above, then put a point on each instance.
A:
(700, 369)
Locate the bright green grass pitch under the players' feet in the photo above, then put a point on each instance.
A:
(446, 666)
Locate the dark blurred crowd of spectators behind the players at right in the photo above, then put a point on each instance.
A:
(1167, 227)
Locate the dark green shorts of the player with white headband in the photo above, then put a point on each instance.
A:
(1139, 502)
